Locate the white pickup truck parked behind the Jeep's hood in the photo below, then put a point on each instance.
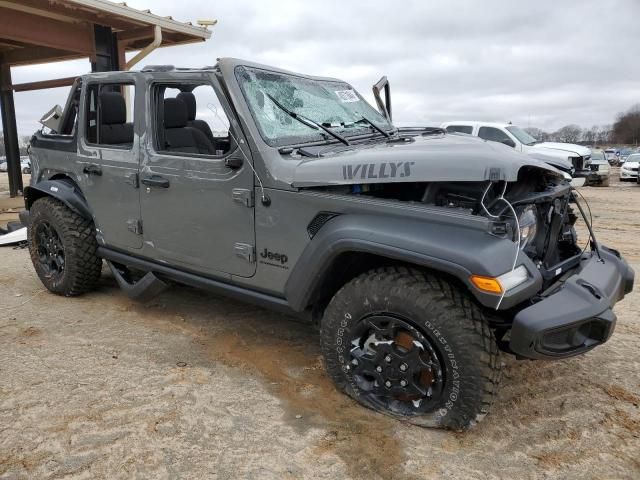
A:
(570, 158)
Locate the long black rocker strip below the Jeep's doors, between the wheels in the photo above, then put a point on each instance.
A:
(192, 279)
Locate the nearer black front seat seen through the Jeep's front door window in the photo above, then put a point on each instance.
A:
(179, 137)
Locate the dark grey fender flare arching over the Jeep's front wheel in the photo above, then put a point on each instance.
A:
(457, 250)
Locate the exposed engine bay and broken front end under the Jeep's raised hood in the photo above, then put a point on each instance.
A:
(538, 212)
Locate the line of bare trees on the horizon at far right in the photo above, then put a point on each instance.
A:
(625, 130)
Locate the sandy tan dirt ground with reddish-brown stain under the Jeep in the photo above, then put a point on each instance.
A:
(195, 386)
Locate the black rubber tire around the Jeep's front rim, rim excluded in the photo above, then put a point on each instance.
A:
(442, 312)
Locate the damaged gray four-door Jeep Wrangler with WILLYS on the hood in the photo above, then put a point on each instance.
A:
(421, 255)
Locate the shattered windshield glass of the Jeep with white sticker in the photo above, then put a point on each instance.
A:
(276, 98)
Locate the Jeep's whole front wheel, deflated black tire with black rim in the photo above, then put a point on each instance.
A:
(412, 346)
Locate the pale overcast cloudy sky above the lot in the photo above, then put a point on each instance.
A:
(535, 63)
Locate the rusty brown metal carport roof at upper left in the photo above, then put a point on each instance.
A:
(40, 31)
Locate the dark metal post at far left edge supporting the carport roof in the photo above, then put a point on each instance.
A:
(10, 131)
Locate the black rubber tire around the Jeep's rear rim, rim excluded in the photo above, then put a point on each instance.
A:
(82, 266)
